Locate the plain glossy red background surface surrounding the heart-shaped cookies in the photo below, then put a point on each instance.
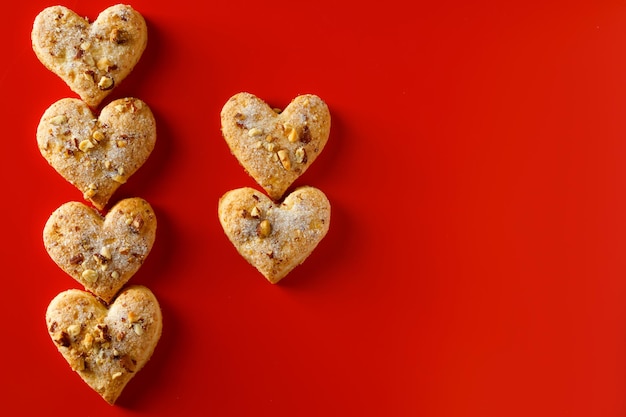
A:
(475, 264)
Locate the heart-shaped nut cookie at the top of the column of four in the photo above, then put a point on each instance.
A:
(91, 58)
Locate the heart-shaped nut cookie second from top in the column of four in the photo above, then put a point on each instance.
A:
(97, 155)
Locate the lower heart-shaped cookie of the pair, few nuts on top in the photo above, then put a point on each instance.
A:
(275, 238)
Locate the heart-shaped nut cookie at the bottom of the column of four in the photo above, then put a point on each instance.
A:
(105, 346)
